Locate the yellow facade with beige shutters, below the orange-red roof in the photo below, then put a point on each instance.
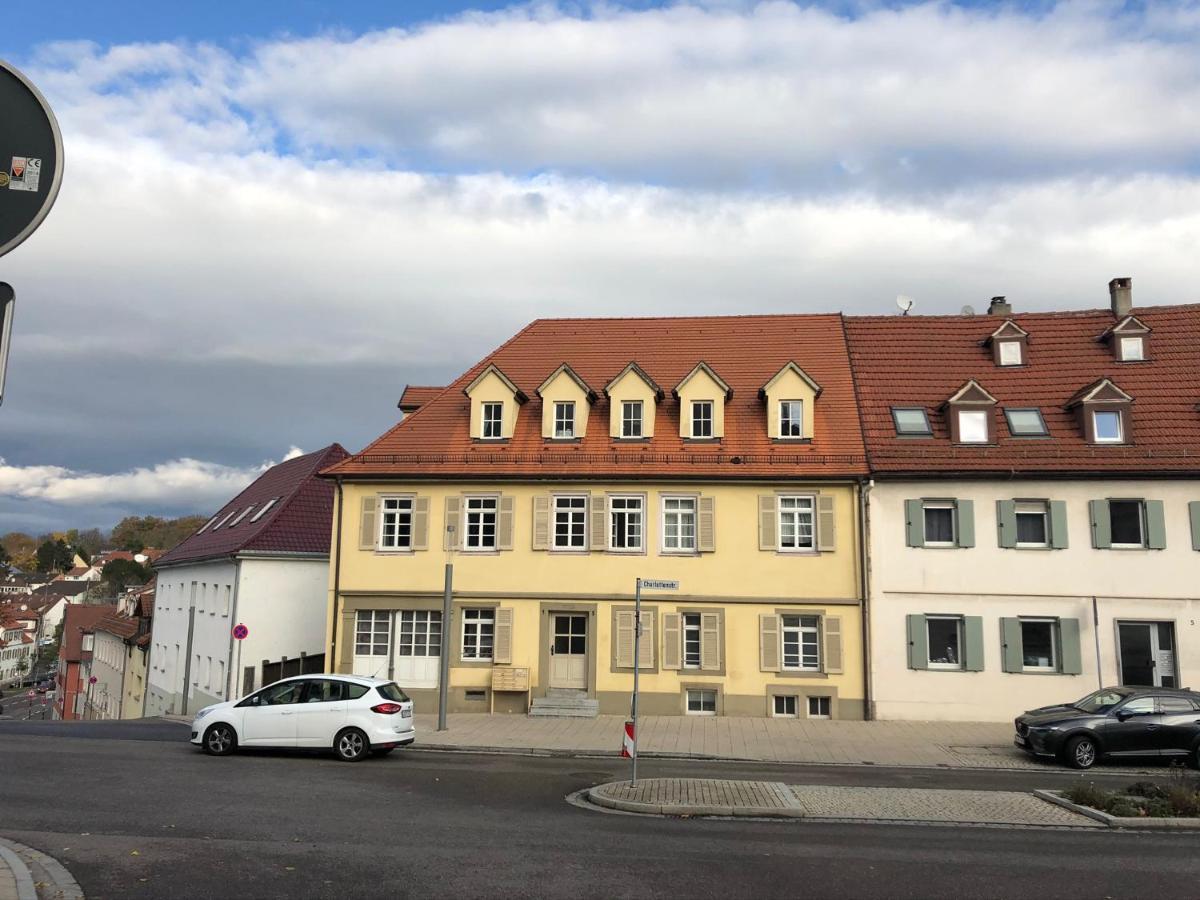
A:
(740, 586)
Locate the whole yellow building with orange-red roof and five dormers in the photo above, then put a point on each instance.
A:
(724, 454)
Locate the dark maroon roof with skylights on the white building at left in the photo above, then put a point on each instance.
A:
(298, 523)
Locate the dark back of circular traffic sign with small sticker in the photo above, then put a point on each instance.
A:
(31, 158)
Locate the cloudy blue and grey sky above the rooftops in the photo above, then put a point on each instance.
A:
(275, 215)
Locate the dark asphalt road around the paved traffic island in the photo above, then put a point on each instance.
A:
(134, 812)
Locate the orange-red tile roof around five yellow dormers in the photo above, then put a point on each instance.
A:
(745, 351)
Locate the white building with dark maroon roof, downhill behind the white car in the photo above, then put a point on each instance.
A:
(261, 562)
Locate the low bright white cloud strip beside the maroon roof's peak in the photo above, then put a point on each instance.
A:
(176, 484)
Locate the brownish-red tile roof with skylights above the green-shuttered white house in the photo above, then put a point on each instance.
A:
(922, 361)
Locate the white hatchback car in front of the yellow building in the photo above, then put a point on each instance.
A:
(351, 716)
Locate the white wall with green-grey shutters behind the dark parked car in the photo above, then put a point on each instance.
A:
(995, 583)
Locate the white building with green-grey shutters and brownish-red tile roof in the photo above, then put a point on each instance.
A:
(1035, 515)
